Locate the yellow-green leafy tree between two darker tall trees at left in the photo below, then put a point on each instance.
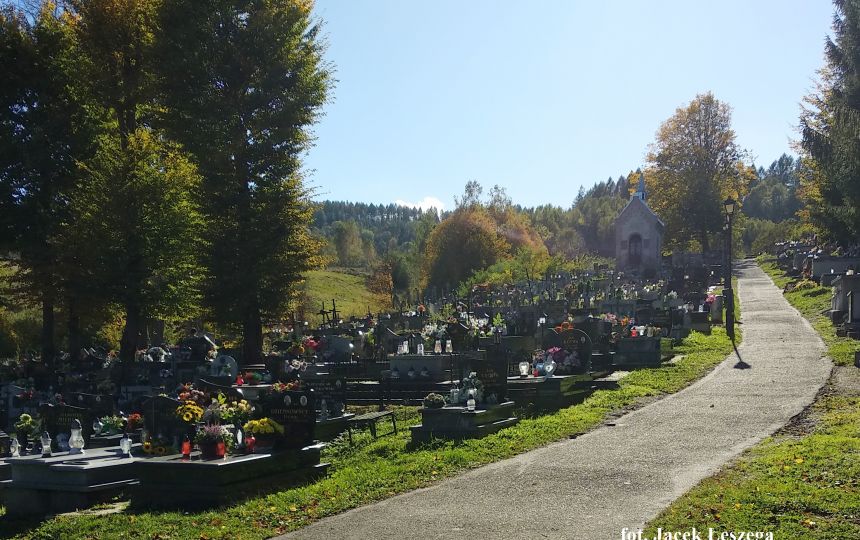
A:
(136, 211)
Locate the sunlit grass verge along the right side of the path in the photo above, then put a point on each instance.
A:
(796, 487)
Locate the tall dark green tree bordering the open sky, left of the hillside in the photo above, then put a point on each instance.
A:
(243, 82)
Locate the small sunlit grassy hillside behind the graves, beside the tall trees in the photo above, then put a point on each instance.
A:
(347, 290)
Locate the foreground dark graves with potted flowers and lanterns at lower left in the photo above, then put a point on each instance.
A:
(206, 444)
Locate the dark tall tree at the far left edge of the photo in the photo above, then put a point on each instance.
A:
(46, 126)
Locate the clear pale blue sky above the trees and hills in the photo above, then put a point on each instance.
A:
(542, 97)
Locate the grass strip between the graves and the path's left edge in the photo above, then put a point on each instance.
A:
(376, 469)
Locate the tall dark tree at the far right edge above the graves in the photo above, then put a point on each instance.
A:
(830, 123)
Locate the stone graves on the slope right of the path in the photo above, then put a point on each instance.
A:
(836, 269)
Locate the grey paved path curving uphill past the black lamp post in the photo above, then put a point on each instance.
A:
(621, 476)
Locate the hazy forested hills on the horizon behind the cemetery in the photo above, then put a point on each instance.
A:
(391, 240)
